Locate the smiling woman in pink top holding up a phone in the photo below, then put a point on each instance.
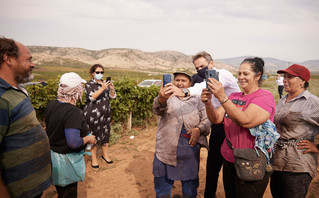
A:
(239, 112)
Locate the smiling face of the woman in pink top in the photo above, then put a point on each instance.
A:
(247, 78)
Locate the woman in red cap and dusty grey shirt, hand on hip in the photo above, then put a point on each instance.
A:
(297, 121)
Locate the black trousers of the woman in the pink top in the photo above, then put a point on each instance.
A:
(237, 188)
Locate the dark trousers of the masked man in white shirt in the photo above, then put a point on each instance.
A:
(214, 160)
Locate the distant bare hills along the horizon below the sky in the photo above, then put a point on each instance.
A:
(134, 59)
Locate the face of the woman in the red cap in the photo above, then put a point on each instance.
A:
(293, 84)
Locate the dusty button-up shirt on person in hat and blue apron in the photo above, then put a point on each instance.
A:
(190, 111)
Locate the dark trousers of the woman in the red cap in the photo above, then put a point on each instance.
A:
(288, 184)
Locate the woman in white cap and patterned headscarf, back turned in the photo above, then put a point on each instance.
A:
(67, 132)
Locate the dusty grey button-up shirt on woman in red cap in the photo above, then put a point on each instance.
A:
(296, 120)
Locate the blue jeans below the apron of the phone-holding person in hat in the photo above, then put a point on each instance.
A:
(163, 187)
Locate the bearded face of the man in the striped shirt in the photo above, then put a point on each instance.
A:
(23, 65)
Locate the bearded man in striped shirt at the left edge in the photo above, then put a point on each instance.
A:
(25, 165)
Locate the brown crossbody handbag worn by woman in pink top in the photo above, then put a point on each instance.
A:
(250, 165)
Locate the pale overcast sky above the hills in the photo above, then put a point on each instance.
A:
(282, 29)
